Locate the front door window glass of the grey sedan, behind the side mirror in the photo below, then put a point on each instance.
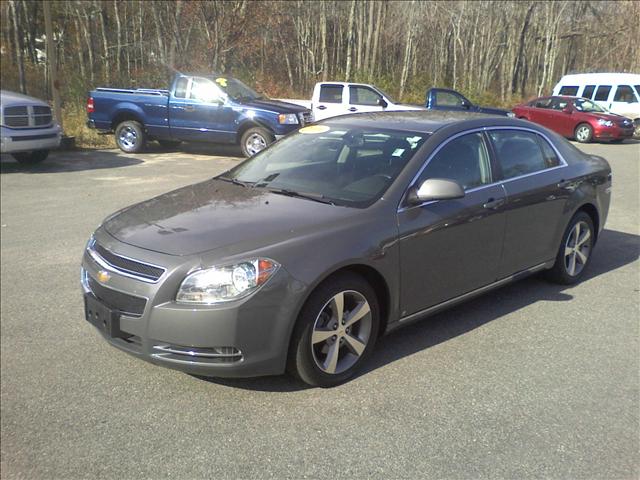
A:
(465, 160)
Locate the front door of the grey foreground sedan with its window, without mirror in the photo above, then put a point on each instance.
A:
(451, 247)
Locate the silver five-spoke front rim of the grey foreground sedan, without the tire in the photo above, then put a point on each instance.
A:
(341, 332)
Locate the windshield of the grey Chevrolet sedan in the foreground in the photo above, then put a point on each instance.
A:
(349, 166)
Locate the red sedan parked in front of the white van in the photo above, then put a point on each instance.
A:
(577, 118)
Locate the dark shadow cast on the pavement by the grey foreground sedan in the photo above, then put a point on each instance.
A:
(614, 250)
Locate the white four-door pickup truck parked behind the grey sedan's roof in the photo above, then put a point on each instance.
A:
(340, 98)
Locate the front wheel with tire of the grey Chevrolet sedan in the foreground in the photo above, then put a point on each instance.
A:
(335, 332)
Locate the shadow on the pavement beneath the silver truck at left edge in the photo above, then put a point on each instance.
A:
(70, 161)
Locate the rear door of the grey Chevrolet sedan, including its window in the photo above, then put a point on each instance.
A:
(537, 192)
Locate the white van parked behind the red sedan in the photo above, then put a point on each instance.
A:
(617, 92)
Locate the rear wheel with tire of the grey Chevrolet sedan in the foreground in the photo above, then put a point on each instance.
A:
(575, 251)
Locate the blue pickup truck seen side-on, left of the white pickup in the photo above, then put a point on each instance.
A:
(197, 108)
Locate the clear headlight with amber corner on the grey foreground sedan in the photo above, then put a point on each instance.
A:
(226, 283)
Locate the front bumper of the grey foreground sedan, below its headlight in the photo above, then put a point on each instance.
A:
(244, 338)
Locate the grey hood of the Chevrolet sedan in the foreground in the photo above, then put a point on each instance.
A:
(214, 214)
